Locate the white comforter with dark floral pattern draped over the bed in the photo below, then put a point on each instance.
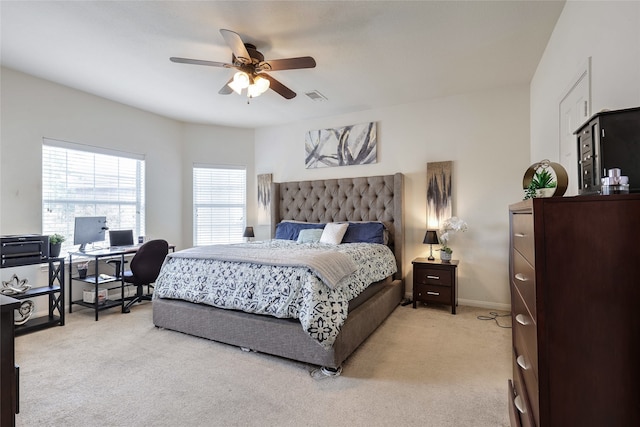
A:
(281, 291)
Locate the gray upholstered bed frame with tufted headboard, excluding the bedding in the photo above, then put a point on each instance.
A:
(363, 199)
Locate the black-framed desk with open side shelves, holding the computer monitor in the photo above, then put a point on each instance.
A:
(101, 281)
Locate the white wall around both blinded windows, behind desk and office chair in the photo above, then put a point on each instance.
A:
(32, 108)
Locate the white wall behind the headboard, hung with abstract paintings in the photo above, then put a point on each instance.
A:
(484, 134)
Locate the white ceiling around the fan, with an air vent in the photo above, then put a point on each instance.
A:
(369, 54)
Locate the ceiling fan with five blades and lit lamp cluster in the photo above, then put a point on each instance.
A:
(252, 68)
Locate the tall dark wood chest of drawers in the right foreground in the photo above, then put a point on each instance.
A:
(575, 299)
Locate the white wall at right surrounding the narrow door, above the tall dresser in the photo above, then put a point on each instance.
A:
(609, 33)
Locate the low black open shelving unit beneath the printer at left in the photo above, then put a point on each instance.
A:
(55, 293)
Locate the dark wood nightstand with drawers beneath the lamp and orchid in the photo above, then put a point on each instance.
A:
(435, 282)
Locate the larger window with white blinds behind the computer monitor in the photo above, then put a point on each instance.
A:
(79, 180)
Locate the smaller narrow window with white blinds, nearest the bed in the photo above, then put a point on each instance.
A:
(219, 204)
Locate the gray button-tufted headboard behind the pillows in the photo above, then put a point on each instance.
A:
(373, 198)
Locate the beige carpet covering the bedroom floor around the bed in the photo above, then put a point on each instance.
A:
(422, 367)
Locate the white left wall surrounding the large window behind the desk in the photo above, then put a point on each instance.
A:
(33, 108)
